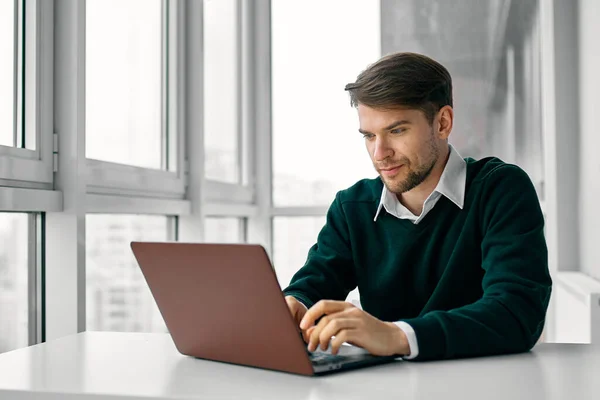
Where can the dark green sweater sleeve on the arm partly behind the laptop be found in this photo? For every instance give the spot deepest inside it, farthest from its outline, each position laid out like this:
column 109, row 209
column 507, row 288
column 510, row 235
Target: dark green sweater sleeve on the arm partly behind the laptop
column 329, row 270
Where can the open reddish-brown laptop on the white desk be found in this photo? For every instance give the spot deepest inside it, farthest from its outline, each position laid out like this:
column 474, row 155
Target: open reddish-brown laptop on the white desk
column 222, row 302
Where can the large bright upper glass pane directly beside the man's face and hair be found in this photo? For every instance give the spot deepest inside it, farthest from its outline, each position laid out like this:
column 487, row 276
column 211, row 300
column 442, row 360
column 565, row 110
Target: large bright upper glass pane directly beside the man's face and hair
column 317, row 149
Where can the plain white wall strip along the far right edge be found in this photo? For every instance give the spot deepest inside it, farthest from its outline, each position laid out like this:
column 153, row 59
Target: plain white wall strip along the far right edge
column 589, row 163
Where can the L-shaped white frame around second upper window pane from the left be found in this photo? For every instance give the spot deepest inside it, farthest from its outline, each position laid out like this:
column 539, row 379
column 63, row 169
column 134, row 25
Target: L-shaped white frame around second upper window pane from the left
column 119, row 179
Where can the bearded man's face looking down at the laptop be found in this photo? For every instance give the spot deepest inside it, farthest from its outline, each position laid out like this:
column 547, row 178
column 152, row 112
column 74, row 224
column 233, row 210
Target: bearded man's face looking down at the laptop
column 402, row 145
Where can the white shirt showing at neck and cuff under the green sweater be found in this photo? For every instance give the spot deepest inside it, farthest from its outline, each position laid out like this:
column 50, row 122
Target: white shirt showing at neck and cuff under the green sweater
column 452, row 184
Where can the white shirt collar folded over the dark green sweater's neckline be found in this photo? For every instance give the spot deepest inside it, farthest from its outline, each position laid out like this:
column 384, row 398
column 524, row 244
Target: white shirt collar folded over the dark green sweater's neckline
column 452, row 185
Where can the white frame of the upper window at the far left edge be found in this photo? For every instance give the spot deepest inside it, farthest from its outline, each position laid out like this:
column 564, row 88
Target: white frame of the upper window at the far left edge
column 21, row 167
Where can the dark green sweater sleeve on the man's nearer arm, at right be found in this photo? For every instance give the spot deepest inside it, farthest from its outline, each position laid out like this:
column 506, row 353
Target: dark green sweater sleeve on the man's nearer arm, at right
column 510, row 316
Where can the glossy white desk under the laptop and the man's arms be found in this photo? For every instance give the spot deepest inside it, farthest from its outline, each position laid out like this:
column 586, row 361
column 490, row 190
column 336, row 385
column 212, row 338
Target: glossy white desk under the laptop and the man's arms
column 147, row 366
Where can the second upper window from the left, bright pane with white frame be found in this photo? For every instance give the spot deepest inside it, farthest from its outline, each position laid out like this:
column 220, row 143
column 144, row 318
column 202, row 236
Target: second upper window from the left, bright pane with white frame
column 134, row 93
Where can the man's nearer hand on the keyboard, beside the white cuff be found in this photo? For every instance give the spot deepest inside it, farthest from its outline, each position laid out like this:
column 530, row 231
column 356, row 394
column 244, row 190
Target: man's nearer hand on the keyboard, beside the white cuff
column 350, row 324
